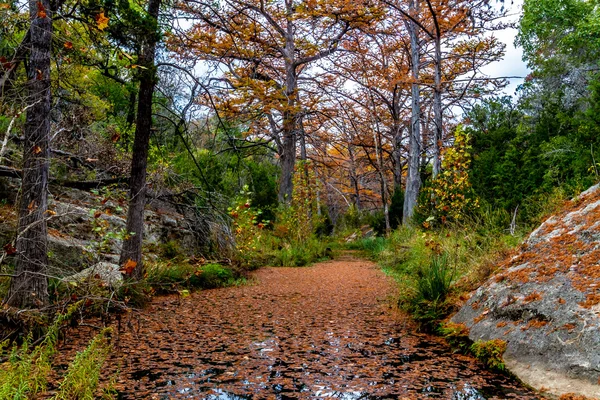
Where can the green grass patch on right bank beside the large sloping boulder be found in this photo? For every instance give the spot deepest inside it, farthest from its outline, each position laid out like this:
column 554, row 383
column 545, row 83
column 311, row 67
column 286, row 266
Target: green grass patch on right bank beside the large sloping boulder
column 433, row 267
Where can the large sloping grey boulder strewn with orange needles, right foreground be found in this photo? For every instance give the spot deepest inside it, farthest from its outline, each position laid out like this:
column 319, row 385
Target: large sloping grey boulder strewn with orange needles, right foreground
column 545, row 303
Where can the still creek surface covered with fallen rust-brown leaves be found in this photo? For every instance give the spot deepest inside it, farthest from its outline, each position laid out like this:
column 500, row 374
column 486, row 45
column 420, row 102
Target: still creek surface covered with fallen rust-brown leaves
column 326, row 331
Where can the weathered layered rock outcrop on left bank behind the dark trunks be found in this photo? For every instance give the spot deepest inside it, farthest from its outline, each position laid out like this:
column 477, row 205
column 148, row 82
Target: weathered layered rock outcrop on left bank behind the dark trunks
column 86, row 228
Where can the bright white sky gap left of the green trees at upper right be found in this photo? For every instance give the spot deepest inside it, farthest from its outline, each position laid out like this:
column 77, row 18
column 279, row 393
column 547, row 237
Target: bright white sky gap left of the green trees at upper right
column 512, row 64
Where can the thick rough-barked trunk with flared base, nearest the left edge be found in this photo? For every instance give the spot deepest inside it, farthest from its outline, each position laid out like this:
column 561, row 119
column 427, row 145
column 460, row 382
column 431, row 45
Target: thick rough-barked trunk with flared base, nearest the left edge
column 29, row 286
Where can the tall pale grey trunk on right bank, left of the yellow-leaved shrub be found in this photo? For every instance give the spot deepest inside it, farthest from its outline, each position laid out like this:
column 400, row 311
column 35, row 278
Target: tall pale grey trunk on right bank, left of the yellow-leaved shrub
column 413, row 180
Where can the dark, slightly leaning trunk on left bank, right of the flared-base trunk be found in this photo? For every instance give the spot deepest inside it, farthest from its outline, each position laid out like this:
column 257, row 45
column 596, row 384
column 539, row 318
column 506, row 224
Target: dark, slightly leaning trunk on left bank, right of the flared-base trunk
column 132, row 245
